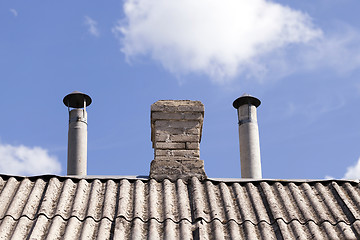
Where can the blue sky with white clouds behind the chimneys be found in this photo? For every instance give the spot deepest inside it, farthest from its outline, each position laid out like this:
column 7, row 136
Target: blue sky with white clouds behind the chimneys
column 300, row 58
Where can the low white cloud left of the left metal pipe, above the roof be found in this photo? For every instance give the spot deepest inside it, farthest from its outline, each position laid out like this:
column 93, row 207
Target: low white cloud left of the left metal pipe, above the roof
column 22, row 160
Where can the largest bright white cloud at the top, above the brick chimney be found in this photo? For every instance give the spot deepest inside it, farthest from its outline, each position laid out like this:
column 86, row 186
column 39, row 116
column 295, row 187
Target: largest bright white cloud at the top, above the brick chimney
column 218, row 38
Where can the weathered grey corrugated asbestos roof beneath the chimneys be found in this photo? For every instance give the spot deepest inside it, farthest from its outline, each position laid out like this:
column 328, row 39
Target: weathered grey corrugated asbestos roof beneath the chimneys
column 53, row 207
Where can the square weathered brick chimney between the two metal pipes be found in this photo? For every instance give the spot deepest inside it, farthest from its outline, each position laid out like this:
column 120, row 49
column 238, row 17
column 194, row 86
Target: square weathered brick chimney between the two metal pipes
column 176, row 127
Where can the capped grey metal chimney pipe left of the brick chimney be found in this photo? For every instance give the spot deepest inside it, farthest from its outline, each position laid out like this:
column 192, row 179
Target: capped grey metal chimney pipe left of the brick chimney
column 77, row 136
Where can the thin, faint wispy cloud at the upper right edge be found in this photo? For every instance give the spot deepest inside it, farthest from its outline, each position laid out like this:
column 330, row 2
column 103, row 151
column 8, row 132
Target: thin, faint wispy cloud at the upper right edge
column 338, row 50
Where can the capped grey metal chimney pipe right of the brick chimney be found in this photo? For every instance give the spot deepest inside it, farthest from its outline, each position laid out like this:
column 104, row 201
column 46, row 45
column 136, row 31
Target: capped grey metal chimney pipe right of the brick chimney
column 249, row 136
